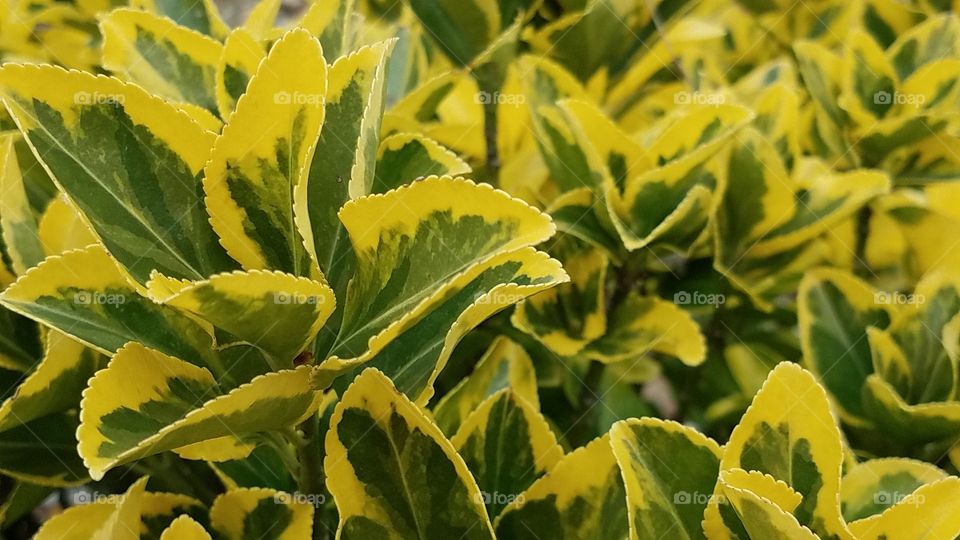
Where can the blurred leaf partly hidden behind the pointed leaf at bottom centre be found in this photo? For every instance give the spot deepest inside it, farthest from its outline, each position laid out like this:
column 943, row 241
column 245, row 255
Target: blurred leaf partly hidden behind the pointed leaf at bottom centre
column 504, row 365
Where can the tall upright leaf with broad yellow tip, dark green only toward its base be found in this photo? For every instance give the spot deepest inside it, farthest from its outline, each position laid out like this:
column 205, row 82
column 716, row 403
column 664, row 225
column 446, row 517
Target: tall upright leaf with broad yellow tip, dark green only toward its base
column 257, row 161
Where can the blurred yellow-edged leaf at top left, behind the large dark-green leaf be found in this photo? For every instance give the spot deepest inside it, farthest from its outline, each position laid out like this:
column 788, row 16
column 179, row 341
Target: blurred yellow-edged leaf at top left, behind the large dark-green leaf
column 167, row 59
